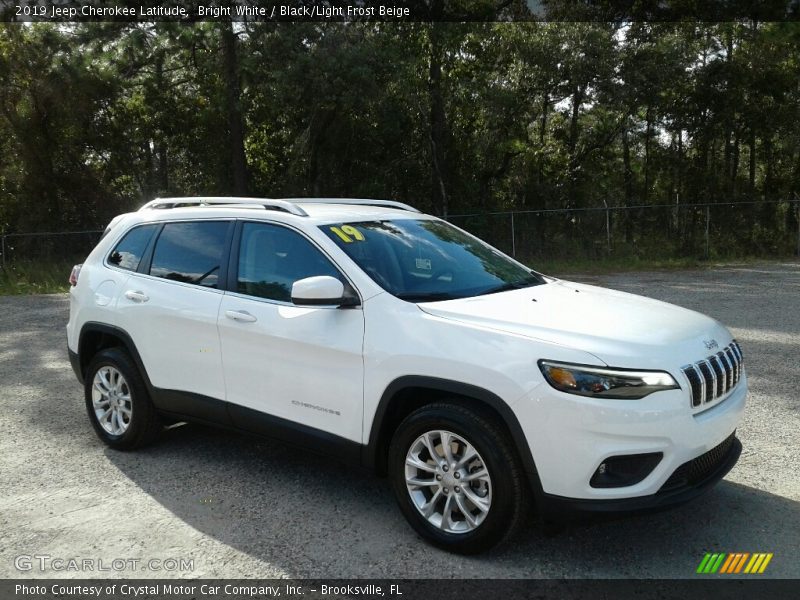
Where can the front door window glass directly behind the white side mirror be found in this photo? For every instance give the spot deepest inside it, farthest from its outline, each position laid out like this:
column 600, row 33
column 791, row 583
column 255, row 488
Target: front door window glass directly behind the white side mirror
column 272, row 258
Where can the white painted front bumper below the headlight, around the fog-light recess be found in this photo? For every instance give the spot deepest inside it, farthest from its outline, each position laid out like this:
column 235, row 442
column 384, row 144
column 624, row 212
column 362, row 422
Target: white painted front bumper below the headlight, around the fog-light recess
column 570, row 436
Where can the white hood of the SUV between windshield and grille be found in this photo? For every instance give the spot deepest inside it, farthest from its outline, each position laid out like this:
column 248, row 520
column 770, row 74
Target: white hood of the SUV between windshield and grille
column 621, row 329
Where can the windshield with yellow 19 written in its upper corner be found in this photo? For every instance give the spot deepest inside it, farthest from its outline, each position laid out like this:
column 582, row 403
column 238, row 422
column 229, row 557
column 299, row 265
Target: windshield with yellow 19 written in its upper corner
column 423, row 260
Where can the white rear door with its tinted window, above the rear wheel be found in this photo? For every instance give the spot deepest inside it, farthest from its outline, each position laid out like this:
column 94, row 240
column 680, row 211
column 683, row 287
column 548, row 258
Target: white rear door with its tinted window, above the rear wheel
column 169, row 307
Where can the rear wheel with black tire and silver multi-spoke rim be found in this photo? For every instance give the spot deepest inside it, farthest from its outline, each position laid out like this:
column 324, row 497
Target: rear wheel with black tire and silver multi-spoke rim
column 117, row 401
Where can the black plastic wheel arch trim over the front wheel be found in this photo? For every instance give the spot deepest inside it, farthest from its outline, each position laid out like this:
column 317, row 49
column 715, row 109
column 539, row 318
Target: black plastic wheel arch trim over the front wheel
column 406, row 394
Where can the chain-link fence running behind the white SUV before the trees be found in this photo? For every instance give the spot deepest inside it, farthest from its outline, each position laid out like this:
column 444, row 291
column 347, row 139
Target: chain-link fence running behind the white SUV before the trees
column 651, row 232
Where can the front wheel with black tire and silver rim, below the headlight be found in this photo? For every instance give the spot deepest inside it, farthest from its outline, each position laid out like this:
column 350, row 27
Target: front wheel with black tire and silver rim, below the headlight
column 457, row 477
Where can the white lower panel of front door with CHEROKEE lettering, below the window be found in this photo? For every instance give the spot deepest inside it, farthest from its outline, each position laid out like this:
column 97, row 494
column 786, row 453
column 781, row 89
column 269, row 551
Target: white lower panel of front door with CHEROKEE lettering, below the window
column 268, row 362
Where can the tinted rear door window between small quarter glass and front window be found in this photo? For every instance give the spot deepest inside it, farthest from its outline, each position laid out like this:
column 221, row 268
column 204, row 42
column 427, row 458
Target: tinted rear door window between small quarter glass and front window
column 190, row 252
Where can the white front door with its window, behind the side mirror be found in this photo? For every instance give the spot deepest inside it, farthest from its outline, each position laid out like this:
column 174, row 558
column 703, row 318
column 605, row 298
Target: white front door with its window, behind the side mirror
column 299, row 364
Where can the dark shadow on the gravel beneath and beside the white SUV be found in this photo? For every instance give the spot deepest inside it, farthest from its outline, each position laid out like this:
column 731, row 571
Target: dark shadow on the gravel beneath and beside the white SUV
column 314, row 517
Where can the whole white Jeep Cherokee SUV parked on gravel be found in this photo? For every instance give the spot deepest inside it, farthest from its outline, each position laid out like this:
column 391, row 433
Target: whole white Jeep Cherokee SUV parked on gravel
column 366, row 330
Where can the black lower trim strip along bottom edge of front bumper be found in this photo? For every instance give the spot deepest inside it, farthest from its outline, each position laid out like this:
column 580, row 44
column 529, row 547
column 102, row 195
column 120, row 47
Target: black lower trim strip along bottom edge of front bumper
column 559, row 507
